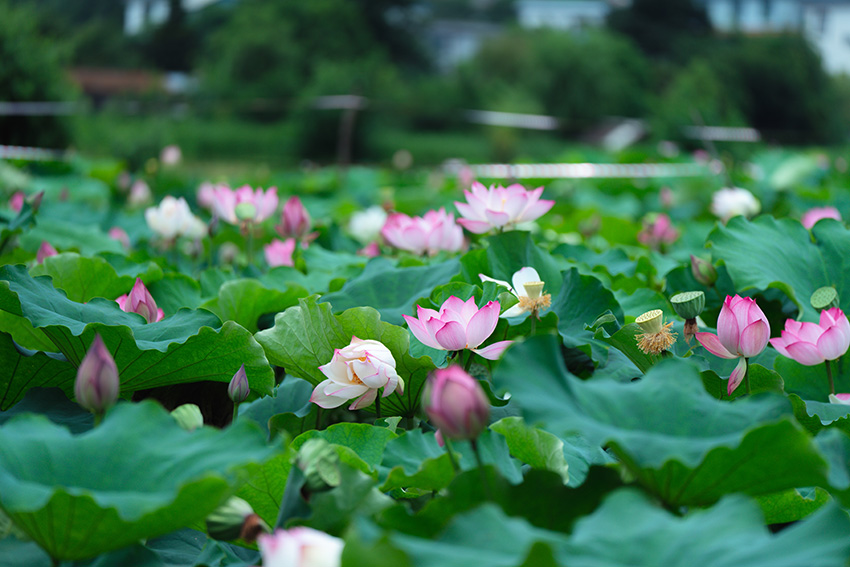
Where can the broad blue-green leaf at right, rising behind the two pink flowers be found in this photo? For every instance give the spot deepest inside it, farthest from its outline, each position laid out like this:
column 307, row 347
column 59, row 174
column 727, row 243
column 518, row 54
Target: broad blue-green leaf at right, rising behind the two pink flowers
column 780, row 253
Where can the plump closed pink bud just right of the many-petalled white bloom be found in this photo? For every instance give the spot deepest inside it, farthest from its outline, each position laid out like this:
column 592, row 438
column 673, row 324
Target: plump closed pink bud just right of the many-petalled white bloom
column 455, row 403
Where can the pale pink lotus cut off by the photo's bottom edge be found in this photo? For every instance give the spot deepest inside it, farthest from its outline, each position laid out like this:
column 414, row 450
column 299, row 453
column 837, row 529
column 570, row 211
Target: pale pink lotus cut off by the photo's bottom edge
column 300, row 547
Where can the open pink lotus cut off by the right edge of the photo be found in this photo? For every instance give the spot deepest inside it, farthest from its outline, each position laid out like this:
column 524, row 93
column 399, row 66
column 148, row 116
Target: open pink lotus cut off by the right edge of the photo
column 811, row 344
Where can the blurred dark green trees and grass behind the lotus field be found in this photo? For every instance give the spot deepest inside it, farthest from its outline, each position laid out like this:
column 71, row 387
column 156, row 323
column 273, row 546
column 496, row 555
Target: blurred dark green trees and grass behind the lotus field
column 256, row 69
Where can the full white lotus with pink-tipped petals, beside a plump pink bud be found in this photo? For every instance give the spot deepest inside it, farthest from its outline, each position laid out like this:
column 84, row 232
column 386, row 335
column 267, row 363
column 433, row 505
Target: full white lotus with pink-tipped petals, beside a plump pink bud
column 357, row 371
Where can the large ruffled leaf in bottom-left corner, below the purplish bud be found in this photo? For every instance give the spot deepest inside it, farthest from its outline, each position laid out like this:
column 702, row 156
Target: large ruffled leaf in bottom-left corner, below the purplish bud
column 136, row 476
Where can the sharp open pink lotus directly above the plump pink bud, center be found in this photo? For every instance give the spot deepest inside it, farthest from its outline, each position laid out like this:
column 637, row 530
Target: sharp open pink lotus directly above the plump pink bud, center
column 459, row 325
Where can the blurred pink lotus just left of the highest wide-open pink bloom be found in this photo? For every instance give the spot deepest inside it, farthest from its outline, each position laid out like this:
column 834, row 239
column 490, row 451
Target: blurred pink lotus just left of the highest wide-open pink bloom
column 434, row 232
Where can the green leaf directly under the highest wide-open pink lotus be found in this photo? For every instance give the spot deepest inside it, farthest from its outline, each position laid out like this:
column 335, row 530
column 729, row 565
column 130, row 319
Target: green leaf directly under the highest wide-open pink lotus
column 508, row 252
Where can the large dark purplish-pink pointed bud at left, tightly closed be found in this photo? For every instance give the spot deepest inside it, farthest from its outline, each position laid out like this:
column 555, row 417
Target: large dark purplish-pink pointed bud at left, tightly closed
column 97, row 384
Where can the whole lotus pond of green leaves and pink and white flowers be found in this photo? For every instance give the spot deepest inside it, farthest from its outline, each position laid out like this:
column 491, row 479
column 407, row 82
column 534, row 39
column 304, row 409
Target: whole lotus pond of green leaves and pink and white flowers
column 411, row 368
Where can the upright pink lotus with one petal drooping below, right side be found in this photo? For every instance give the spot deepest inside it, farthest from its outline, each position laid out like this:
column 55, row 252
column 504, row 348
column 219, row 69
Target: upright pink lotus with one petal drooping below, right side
column 742, row 332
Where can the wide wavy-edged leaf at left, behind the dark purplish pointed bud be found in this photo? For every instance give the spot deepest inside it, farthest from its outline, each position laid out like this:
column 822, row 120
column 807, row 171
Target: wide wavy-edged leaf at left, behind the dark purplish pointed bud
column 190, row 346
